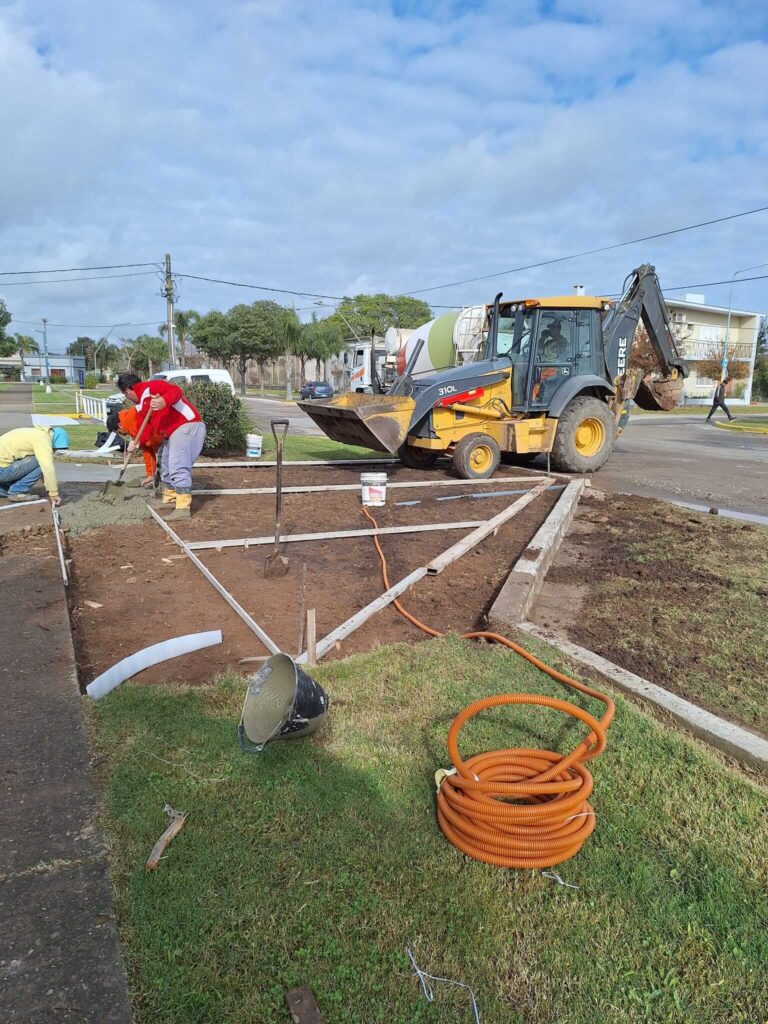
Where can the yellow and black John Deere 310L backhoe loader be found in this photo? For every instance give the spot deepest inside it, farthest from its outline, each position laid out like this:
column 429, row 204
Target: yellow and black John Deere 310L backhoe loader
column 554, row 377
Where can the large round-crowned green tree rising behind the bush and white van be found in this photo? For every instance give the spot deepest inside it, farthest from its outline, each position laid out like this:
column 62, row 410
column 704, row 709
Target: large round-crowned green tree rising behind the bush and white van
column 246, row 332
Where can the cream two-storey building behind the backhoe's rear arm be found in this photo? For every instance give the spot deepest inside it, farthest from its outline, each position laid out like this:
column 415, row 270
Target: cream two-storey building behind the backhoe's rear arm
column 701, row 331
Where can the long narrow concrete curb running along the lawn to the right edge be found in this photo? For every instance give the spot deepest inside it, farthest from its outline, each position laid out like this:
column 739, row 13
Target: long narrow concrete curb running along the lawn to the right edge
column 733, row 740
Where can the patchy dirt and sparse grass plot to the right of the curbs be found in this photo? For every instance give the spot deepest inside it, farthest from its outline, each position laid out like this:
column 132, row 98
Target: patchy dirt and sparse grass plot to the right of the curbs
column 678, row 598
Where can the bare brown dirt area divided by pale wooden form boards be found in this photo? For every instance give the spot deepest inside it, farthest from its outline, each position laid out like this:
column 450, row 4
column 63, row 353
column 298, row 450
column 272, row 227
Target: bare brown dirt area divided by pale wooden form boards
column 148, row 591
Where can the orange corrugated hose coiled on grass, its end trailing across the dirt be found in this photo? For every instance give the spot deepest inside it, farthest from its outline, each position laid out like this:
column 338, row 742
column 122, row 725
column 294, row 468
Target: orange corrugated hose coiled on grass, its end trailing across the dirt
column 549, row 819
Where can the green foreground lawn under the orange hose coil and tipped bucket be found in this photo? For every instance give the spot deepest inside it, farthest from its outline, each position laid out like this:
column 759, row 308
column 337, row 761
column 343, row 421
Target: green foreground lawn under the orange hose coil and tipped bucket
column 320, row 861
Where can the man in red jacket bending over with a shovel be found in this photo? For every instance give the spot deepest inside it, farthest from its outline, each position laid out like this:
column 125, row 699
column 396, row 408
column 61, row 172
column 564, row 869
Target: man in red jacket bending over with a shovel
column 184, row 434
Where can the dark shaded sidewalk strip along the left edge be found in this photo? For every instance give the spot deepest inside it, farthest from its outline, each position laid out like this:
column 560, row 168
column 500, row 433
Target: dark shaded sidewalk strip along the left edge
column 60, row 957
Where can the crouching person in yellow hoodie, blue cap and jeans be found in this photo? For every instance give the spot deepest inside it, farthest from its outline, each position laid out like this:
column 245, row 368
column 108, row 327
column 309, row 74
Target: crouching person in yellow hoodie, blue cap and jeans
column 26, row 455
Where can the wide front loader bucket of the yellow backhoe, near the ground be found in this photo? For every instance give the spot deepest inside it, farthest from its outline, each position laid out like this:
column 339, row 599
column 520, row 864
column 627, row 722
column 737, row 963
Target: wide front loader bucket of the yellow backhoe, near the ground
column 374, row 421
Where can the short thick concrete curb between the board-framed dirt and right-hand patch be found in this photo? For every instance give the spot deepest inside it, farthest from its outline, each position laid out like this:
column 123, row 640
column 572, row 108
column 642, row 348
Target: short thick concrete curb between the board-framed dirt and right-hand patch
column 527, row 579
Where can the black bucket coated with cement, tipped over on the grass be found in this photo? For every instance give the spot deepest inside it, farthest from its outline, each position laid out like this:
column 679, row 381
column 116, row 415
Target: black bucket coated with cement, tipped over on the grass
column 282, row 703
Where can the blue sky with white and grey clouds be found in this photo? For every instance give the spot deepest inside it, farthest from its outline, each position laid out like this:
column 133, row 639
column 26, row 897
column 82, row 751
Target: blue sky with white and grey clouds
column 338, row 147
